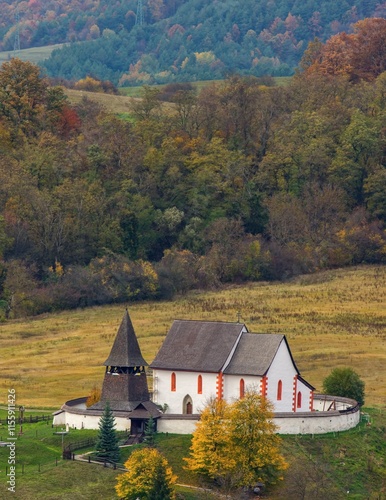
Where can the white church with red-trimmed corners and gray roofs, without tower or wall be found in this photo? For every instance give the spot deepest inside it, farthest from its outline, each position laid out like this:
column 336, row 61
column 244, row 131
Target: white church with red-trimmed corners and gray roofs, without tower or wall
column 200, row 360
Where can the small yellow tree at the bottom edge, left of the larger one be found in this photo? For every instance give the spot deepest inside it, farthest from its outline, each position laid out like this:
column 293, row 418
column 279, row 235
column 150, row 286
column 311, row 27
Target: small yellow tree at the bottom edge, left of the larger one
column 148, row 476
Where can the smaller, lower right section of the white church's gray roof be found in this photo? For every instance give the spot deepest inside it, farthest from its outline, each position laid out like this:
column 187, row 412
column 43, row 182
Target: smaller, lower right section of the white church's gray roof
column 254, row 354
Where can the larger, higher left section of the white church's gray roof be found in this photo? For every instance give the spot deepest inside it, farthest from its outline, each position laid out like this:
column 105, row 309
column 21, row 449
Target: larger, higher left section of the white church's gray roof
column 197, row 345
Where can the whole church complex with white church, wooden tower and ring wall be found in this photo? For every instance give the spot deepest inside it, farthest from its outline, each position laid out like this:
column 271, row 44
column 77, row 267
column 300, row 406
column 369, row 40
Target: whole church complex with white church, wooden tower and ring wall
column 201, row 360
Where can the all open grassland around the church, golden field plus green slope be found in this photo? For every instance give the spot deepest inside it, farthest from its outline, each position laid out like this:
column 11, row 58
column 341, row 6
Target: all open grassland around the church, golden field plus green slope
column 334, row 318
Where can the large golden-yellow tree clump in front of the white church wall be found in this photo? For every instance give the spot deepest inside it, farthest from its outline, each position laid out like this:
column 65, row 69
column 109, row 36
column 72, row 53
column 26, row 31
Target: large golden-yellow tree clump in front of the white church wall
column 236, row 444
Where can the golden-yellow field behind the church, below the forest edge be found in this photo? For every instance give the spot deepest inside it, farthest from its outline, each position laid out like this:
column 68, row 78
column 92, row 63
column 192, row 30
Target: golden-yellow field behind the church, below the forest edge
column 333, row 318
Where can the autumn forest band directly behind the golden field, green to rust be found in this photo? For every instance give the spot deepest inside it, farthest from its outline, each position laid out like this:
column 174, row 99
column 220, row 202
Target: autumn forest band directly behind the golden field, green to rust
column 238, row 182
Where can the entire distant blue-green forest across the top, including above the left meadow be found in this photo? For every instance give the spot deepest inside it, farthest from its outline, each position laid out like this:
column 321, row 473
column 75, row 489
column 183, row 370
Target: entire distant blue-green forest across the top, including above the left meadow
column 178, row 40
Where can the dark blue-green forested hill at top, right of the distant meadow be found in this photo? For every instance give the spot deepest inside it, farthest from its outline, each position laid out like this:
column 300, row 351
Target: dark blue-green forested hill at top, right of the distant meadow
column 207, row 41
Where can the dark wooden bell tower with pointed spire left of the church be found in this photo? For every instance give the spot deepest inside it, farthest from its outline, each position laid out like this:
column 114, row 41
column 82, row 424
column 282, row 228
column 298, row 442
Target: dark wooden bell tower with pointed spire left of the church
column 125, row 383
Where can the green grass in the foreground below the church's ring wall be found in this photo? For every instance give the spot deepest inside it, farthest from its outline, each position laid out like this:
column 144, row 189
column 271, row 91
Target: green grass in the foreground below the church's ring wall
column 353, row 460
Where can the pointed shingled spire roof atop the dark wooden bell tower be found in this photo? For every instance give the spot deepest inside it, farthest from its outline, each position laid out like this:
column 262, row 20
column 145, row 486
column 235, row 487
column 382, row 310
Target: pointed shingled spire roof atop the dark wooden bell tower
column 125, row 351
